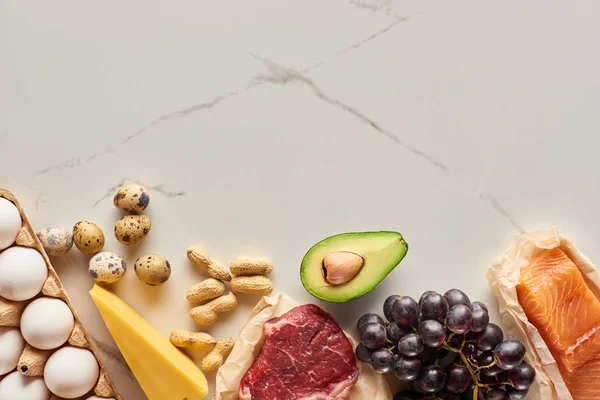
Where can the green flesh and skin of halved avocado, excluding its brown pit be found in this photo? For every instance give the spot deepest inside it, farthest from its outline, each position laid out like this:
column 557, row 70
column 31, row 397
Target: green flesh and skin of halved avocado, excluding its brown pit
column 381, row 253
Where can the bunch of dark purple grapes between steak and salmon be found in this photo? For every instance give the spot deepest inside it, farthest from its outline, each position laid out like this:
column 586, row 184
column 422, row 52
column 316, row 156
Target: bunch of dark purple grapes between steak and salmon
column 445, row 348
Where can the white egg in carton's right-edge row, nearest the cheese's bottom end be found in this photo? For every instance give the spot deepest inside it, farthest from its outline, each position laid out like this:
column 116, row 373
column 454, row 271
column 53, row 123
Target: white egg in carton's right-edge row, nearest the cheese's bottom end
column 71, row 372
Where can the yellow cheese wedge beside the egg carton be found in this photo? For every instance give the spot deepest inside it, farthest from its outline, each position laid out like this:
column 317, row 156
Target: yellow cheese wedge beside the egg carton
column 164, row 372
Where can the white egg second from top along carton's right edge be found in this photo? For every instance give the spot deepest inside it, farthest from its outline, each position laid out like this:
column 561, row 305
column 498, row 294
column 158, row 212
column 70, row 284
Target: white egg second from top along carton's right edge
column 23, row 272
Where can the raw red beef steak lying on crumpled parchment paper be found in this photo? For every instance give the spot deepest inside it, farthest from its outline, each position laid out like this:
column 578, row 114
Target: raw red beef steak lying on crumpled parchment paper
column 306, row 355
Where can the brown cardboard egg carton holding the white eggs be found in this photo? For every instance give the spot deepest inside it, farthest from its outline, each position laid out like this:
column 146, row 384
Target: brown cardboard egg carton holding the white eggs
column 32, row 360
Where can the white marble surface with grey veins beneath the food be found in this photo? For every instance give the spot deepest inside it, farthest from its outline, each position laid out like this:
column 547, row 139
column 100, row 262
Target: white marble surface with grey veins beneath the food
column 261, row 127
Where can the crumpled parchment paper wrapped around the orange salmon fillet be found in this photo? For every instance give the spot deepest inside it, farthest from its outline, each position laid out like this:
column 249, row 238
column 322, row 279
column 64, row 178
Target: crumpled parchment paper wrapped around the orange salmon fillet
column 503, row 278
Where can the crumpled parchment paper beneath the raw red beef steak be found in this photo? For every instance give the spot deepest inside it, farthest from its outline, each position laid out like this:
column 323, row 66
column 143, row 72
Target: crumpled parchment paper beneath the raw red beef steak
column 370, row 384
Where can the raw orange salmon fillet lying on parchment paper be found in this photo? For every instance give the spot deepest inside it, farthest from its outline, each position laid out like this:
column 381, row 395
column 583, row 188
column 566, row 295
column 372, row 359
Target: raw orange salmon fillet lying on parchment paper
column 557, row 301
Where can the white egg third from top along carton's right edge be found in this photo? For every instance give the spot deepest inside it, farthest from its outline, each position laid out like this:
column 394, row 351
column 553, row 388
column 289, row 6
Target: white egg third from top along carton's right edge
column 47, row 323
